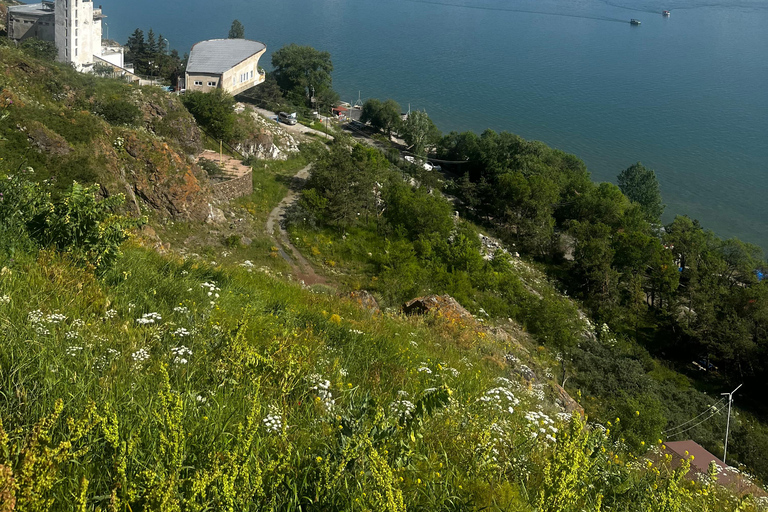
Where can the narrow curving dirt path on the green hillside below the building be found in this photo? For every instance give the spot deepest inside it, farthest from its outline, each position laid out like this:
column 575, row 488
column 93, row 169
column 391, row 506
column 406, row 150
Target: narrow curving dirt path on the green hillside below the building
column 301, row 268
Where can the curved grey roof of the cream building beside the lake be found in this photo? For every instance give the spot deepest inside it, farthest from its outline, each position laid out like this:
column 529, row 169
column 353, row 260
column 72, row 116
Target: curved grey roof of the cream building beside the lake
column 216, row 56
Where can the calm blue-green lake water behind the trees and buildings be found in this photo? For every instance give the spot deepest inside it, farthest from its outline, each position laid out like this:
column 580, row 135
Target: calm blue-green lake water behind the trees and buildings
column 686, row 95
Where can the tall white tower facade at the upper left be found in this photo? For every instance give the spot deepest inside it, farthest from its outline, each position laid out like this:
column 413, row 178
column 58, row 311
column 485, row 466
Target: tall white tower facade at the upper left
column 78, row 32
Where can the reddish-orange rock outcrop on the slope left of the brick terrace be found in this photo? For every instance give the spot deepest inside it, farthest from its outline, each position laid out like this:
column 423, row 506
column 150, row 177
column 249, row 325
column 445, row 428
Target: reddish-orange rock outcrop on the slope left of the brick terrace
column 166, row 181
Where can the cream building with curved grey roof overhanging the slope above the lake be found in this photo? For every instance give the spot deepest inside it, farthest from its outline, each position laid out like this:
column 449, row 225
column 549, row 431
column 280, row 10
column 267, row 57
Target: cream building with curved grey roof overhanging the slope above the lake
column 228, row 64
